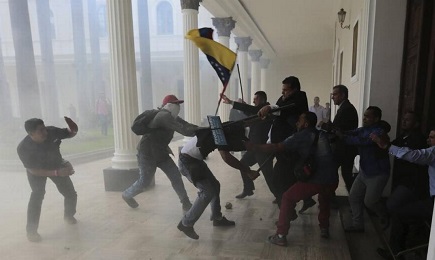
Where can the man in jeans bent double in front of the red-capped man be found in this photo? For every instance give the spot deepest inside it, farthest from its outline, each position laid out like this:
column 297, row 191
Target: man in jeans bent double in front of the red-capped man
column 192, row 166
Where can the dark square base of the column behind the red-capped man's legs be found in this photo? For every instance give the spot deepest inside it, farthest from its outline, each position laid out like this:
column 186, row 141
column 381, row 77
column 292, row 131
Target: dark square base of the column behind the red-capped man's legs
column 119, row 180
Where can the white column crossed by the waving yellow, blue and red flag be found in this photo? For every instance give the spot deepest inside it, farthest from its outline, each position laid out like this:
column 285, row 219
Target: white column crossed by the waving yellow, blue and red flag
column 224, row 27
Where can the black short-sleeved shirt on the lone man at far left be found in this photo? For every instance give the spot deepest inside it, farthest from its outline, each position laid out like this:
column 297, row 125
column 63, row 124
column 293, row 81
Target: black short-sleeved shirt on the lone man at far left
column 44, row 155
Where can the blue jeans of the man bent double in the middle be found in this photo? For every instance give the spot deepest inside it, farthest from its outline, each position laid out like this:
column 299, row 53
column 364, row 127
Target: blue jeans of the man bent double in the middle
column 208, row 186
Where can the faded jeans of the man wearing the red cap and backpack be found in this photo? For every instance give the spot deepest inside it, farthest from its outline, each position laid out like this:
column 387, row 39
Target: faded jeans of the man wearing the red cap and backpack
column 147, row 170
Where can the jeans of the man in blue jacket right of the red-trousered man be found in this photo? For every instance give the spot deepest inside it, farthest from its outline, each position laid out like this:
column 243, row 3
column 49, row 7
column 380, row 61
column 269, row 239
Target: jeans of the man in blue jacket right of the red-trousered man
column 368, row 191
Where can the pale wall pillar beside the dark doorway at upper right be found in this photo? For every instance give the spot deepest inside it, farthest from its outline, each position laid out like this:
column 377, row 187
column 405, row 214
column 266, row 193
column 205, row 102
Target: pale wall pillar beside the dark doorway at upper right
column 387, row 58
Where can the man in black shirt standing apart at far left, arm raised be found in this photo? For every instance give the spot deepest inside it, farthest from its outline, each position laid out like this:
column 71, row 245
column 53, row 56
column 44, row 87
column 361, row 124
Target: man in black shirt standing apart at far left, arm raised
column 40, row 154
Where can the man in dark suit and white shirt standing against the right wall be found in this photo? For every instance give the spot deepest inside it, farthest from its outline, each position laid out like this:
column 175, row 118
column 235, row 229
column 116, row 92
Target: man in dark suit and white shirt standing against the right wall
column 346, row 119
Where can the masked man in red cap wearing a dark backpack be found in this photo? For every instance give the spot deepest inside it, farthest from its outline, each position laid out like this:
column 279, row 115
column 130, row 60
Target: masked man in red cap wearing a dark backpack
column 158, row 127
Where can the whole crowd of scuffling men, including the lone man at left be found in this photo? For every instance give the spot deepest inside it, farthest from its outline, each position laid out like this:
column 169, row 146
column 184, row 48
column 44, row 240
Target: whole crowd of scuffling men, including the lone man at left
column 299, row 149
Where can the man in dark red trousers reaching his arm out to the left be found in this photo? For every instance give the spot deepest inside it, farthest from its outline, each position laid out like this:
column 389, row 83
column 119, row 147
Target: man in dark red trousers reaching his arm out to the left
column 312, row 146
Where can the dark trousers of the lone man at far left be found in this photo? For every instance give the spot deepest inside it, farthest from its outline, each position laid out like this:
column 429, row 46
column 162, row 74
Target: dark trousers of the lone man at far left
column 37, row 184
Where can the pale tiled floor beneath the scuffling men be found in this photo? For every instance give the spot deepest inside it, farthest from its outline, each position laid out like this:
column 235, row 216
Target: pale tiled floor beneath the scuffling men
column 109, row 229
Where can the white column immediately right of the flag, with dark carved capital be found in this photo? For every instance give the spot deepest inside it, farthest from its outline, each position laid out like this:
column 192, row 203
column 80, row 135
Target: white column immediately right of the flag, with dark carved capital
column 243, row 44
